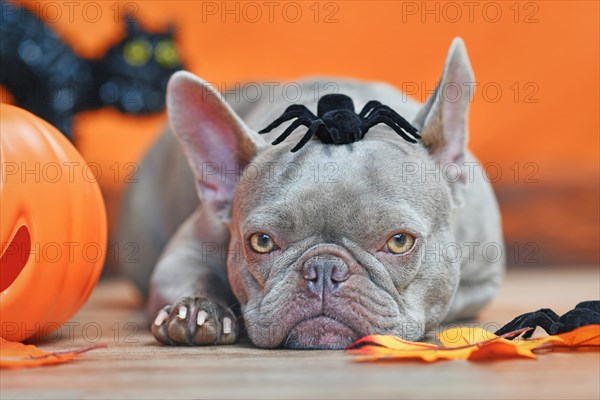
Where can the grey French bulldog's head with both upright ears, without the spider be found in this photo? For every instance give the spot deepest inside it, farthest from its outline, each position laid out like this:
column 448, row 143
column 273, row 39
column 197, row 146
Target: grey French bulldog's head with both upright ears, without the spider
column 333, row 242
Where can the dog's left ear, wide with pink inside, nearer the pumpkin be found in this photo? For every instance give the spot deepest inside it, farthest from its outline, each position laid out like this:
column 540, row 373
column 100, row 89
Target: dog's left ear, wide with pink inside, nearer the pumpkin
column 217, row 143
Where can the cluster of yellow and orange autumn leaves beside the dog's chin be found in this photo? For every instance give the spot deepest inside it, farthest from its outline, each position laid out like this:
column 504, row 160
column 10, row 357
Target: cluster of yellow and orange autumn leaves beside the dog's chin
column 473, row 344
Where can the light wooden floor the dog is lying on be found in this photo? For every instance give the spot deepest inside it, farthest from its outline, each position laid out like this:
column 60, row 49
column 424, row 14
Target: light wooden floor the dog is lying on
column 135, row 366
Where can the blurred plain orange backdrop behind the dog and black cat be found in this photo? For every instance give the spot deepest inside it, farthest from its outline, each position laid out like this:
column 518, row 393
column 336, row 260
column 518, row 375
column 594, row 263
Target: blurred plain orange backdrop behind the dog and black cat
column 549, row 50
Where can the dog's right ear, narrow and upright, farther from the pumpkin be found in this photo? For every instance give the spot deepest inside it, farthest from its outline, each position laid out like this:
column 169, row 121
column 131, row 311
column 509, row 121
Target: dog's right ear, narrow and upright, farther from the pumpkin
column 443, row 119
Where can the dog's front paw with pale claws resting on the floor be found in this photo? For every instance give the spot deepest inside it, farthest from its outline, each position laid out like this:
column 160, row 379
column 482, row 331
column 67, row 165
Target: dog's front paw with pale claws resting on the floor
column 195, row 321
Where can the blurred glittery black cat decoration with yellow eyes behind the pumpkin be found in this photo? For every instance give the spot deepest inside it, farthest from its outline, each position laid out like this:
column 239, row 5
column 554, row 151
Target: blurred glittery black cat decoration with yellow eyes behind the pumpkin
column 47, row 77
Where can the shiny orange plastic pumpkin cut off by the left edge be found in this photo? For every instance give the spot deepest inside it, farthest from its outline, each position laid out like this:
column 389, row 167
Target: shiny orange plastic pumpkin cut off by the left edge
column 52, row 227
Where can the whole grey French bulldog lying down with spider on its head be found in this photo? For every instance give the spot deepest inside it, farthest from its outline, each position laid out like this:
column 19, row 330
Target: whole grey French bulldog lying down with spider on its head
column 319, row 247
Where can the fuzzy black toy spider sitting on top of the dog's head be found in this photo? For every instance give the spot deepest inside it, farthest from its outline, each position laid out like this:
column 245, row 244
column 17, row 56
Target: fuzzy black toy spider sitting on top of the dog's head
column 336, row 121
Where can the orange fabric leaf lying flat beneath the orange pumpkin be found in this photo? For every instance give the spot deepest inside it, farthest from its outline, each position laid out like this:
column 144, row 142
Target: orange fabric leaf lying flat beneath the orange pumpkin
column 19, row 355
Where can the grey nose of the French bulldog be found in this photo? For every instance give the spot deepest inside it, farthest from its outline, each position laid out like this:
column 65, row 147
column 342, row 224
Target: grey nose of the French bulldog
column 325, row 274
